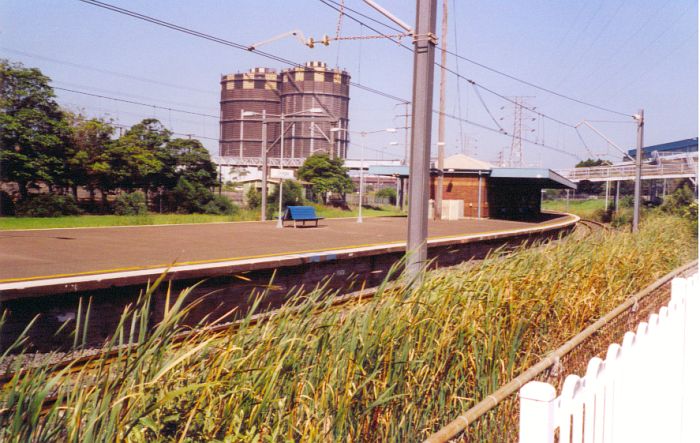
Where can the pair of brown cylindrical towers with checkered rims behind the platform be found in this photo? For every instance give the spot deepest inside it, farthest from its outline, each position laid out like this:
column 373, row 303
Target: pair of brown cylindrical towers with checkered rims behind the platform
column 314, row 92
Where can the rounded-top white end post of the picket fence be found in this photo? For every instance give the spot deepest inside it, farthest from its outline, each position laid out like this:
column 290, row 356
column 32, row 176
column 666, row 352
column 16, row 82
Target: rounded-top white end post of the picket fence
column 537, row 412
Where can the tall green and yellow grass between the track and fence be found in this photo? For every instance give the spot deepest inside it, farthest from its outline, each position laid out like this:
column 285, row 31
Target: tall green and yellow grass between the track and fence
column 393, row 368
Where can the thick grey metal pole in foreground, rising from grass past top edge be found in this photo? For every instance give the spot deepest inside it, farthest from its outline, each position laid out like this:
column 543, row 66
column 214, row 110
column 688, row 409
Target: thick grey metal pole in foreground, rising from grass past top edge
column 419, row 189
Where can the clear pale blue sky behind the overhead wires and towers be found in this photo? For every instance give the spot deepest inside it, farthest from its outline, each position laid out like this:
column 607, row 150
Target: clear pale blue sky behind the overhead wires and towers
column 621, row 55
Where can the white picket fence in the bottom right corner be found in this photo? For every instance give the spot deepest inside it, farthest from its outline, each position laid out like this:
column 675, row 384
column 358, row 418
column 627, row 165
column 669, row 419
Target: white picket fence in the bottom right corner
column 646, row 390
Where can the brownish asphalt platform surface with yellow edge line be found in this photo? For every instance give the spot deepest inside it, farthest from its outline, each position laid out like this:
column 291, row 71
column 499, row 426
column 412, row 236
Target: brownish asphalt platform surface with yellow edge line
column 27, row 255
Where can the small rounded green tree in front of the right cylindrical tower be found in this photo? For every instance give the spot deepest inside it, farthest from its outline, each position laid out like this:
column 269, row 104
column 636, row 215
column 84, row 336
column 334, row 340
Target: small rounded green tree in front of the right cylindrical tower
column 325, row 175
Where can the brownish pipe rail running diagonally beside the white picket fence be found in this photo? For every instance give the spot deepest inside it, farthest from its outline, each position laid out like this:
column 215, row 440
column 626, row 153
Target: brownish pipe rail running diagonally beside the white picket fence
column 460, row 423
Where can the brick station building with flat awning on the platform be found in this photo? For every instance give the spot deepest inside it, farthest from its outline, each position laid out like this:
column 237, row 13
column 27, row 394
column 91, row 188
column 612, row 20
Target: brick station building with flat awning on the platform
column 483, row 191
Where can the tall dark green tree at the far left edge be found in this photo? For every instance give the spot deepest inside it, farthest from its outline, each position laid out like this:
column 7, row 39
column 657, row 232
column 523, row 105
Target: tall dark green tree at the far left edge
column 33, row 133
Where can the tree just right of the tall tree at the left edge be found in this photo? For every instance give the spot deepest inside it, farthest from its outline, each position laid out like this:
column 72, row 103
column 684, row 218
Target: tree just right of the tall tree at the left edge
column 88, row 155
